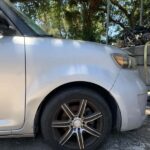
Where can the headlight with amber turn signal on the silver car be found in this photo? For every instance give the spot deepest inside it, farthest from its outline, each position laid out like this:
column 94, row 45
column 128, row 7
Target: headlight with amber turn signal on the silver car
column 124, row 61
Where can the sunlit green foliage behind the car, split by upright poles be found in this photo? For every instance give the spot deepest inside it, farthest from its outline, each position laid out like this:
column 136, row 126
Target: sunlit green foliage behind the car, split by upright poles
column 84, row 19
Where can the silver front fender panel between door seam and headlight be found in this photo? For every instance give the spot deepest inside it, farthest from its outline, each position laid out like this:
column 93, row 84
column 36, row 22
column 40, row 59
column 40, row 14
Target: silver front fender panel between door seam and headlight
column 51, row 63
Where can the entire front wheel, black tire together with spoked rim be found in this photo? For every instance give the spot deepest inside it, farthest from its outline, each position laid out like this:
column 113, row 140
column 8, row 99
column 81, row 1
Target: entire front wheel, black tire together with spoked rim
column 87, row 120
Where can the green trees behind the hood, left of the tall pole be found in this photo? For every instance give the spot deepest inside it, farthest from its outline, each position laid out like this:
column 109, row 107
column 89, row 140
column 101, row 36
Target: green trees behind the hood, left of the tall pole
column 76, row 19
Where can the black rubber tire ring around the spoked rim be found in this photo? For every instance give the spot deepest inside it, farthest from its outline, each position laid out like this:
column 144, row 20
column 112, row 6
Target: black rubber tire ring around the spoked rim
column 65, row 96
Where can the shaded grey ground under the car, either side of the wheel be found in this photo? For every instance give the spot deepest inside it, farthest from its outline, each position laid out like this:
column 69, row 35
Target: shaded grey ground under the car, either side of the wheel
column 132, row 140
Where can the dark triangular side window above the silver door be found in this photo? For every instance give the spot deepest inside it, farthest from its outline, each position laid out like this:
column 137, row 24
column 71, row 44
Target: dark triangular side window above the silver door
column 6, row 27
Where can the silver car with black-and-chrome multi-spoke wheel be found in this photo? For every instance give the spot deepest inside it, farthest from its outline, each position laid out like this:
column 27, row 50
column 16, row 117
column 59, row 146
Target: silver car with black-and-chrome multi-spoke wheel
column 73, row 92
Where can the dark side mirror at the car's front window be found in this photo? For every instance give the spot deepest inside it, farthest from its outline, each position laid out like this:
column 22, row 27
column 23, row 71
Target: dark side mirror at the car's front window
column 5, row 29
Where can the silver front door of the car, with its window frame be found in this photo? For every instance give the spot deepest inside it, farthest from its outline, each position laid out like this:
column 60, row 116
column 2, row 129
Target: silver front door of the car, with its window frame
column 12, row 79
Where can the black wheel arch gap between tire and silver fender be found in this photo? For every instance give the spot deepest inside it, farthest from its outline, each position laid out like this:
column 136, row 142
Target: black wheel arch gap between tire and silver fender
column 115, row 110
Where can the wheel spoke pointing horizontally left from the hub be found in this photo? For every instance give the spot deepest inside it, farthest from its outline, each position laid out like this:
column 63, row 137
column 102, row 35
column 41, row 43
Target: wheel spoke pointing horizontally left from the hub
column 61, row 124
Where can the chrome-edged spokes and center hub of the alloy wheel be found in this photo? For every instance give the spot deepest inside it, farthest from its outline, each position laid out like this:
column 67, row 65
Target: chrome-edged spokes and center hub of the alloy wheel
column 78, row 123
